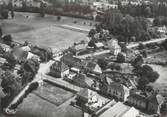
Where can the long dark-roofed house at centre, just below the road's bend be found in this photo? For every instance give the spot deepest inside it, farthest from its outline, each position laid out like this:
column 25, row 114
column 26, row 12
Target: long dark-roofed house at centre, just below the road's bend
column 72, row 61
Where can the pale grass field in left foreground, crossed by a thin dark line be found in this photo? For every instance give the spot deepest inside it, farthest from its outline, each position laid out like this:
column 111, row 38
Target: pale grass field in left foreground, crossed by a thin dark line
column 48, row 101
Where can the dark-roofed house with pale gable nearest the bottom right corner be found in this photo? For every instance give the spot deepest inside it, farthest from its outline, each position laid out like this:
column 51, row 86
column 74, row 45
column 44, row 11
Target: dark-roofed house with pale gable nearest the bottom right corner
column 154, row 103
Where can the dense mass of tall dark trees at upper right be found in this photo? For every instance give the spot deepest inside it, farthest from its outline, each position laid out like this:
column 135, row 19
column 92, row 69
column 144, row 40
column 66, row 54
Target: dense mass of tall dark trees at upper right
column 125, row 28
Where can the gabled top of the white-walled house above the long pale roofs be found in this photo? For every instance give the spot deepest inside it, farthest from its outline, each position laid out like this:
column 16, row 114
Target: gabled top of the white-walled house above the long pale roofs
column 86, row 93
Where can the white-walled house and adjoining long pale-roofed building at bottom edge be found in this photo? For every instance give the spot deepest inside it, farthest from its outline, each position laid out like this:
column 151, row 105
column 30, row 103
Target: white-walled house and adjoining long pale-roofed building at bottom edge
column 90, row 103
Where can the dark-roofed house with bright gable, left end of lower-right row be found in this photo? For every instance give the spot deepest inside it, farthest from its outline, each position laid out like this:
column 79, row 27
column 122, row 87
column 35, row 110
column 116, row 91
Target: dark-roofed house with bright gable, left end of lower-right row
column 118, row 91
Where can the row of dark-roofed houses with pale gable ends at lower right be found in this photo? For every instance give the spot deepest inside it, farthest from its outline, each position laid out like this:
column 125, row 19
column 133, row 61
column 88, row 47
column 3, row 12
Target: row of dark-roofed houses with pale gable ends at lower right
column 150, row 102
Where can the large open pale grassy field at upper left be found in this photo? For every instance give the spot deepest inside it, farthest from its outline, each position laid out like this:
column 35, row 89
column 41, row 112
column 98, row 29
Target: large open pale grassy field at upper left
column 43, row 31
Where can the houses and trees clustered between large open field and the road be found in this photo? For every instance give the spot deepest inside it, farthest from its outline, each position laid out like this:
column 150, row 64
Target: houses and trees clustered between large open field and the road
column 97, row 43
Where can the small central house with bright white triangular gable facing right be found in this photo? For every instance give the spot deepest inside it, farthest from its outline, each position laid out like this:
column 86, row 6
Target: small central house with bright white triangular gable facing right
column 93, row 68
